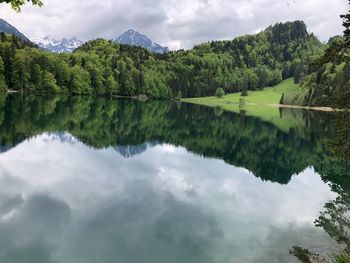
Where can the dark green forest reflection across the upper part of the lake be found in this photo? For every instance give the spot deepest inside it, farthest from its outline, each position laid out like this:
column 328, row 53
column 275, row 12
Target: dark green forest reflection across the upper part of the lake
column 317, row 139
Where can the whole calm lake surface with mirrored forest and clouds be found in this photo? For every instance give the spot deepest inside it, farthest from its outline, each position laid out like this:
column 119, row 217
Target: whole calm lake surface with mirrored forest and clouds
column 94, row 180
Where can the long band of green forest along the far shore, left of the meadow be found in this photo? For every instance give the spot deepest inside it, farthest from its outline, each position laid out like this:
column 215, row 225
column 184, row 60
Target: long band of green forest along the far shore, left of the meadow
column 101, row 67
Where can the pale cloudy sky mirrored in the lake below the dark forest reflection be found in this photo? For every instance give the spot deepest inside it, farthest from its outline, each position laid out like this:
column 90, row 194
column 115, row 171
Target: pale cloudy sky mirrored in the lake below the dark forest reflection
column 161, row 205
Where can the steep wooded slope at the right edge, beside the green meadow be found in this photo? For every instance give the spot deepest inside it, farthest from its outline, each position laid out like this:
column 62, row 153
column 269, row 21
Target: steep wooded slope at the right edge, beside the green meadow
column 329, row 82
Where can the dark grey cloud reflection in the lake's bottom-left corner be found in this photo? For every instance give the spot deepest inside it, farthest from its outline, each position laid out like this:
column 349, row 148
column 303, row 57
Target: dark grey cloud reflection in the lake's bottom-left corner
column 31, row 233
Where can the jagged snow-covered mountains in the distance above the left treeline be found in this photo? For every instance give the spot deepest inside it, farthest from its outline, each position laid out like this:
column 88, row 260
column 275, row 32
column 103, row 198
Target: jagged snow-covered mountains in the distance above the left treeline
column 58, row 46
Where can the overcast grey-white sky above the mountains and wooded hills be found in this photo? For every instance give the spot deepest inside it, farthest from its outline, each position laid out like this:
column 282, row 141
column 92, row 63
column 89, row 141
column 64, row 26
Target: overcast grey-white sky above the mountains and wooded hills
column 175, row 23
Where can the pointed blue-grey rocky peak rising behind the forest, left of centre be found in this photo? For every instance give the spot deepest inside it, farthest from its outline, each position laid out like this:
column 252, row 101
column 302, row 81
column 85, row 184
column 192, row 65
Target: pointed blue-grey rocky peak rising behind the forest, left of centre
column 132, row 37
